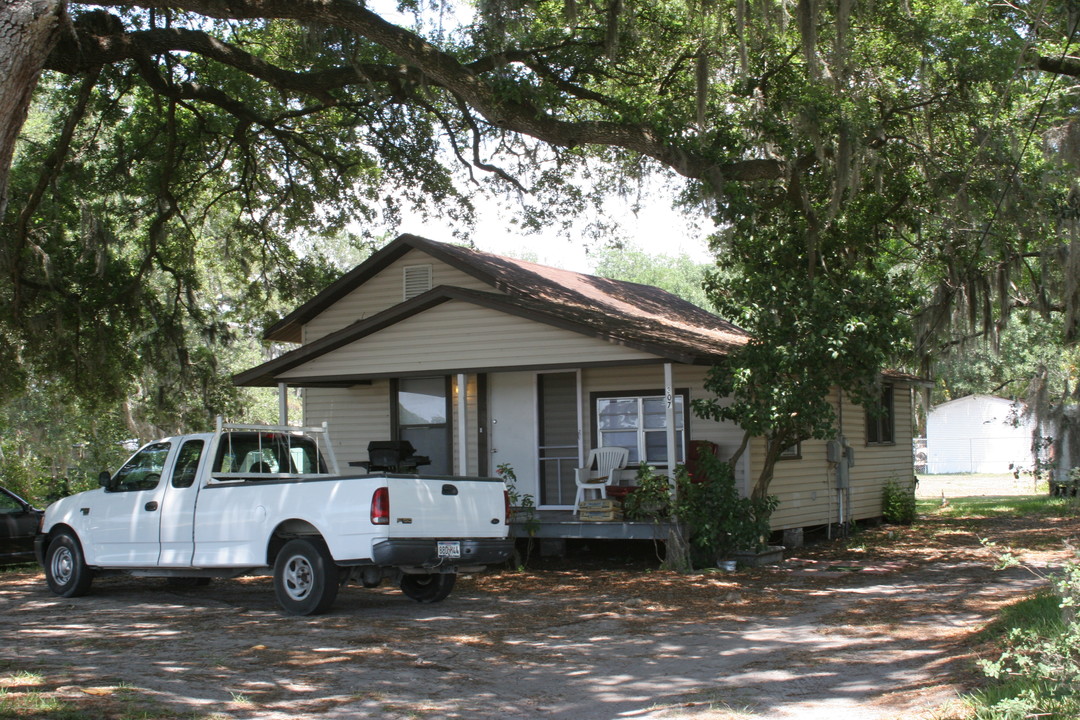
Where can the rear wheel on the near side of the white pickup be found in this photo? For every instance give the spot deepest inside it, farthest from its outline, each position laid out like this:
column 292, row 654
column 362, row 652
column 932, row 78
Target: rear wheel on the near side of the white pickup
column 305, row 578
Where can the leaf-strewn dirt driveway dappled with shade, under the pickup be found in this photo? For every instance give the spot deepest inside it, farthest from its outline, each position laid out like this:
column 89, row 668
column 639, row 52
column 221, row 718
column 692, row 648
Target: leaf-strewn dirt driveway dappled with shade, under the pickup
column 882, row 626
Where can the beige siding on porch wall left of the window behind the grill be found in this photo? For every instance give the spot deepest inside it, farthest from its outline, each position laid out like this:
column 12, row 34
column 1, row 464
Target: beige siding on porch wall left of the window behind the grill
column 356, row 415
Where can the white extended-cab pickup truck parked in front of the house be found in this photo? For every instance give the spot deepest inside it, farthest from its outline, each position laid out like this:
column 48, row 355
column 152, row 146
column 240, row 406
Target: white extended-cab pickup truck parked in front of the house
column 262, row 500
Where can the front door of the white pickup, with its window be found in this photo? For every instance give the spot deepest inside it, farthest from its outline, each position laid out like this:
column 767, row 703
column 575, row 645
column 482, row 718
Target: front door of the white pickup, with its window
column 125, row 522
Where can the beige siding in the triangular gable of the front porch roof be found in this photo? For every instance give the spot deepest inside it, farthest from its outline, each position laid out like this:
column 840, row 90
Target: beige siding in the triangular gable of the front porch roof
column 461, row 335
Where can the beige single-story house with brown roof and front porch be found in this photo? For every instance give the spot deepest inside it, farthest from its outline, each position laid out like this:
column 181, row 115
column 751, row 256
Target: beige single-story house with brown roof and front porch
column 482, row 361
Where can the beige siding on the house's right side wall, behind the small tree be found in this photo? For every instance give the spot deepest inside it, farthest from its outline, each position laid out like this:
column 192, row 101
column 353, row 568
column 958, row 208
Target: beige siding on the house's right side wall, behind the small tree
column 807, row 487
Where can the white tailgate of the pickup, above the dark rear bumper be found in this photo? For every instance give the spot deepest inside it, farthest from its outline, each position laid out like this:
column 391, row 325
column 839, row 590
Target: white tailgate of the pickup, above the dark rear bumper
column 448, row 507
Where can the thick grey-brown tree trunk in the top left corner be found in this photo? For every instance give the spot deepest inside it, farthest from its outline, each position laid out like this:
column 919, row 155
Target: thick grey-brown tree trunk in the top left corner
column 29, row 31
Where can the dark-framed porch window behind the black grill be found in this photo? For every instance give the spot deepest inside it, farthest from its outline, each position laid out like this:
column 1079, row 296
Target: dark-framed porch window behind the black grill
column 423, row 412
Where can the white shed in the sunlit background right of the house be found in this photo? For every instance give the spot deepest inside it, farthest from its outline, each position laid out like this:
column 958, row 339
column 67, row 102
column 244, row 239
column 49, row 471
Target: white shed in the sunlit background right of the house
column 979, row 434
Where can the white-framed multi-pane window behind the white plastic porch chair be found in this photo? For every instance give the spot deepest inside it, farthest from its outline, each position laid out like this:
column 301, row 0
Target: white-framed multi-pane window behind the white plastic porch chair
column 640, row 425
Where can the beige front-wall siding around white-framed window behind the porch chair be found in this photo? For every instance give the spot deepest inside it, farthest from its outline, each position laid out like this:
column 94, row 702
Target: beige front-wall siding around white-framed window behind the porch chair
column 632, row 379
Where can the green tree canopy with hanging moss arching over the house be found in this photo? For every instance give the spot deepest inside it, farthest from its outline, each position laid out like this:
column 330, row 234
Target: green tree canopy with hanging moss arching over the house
column 883, row 172
